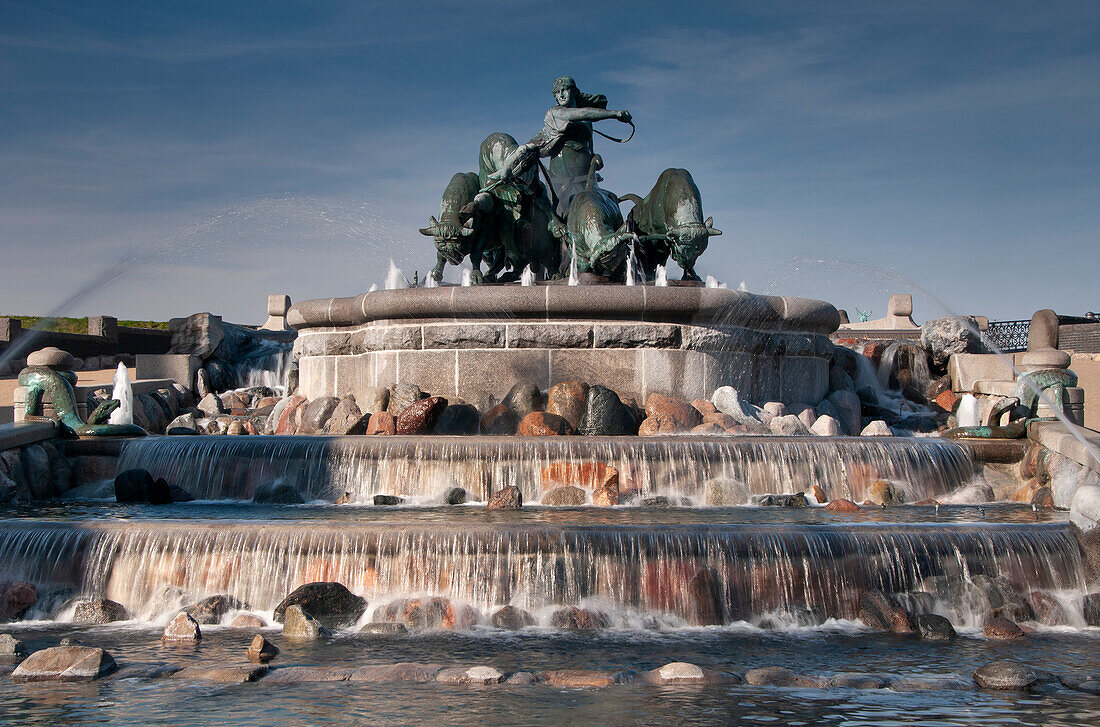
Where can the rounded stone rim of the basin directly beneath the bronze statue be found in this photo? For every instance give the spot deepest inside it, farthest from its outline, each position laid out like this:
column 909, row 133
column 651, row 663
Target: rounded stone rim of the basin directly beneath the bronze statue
column 545, row 303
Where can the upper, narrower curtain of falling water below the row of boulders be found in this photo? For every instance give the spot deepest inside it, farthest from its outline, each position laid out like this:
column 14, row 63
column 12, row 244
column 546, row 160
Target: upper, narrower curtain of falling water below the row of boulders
column 709, row 471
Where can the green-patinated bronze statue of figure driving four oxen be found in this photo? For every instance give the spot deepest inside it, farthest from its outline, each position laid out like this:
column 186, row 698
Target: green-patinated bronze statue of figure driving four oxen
column 518, row 212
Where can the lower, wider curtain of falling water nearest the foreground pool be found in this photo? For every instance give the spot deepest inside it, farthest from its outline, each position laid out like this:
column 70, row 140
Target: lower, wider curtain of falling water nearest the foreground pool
column 760, row 569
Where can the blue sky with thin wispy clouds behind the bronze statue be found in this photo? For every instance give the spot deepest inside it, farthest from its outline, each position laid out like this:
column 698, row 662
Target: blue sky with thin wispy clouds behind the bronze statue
column 849, row 150
